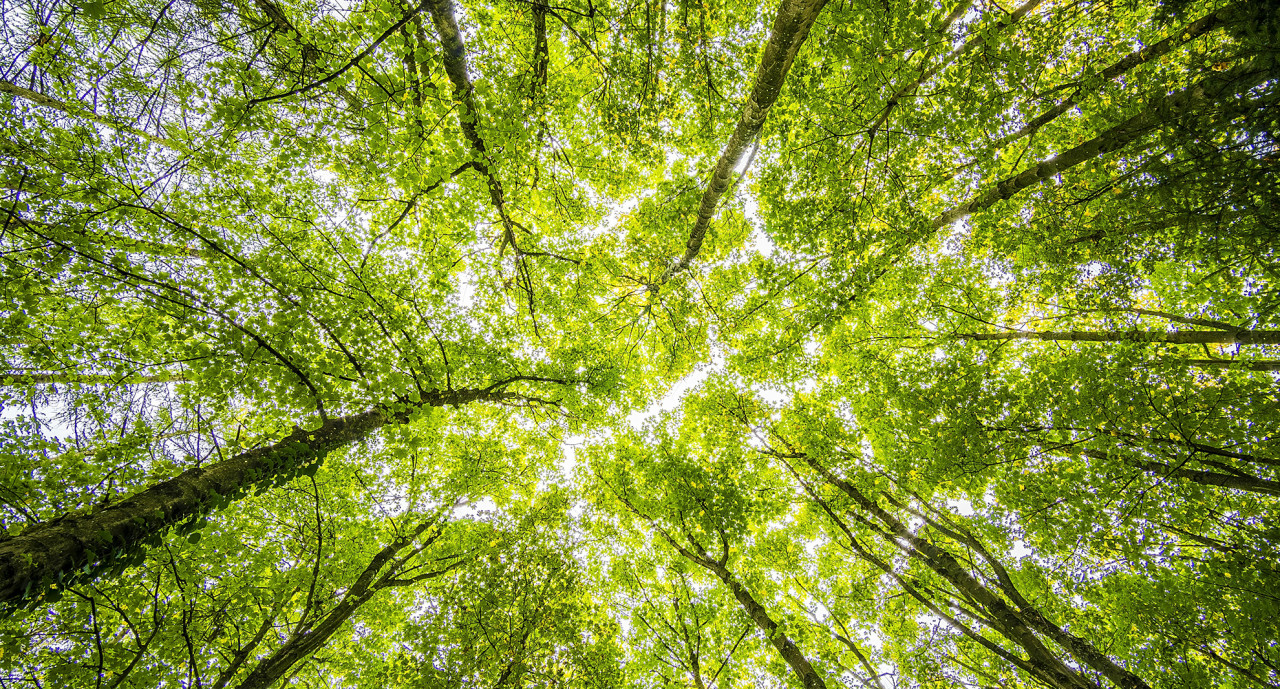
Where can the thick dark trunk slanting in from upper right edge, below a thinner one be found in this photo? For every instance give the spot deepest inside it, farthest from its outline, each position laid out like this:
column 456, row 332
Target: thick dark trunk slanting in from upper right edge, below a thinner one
column 1159, row 112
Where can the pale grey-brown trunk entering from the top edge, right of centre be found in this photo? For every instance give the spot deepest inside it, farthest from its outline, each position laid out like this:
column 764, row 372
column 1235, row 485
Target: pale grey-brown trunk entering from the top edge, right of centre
column 790, row 30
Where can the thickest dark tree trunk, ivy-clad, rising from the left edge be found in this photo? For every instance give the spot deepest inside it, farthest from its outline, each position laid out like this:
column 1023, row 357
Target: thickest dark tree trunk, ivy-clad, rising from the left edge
column 80, row 545
